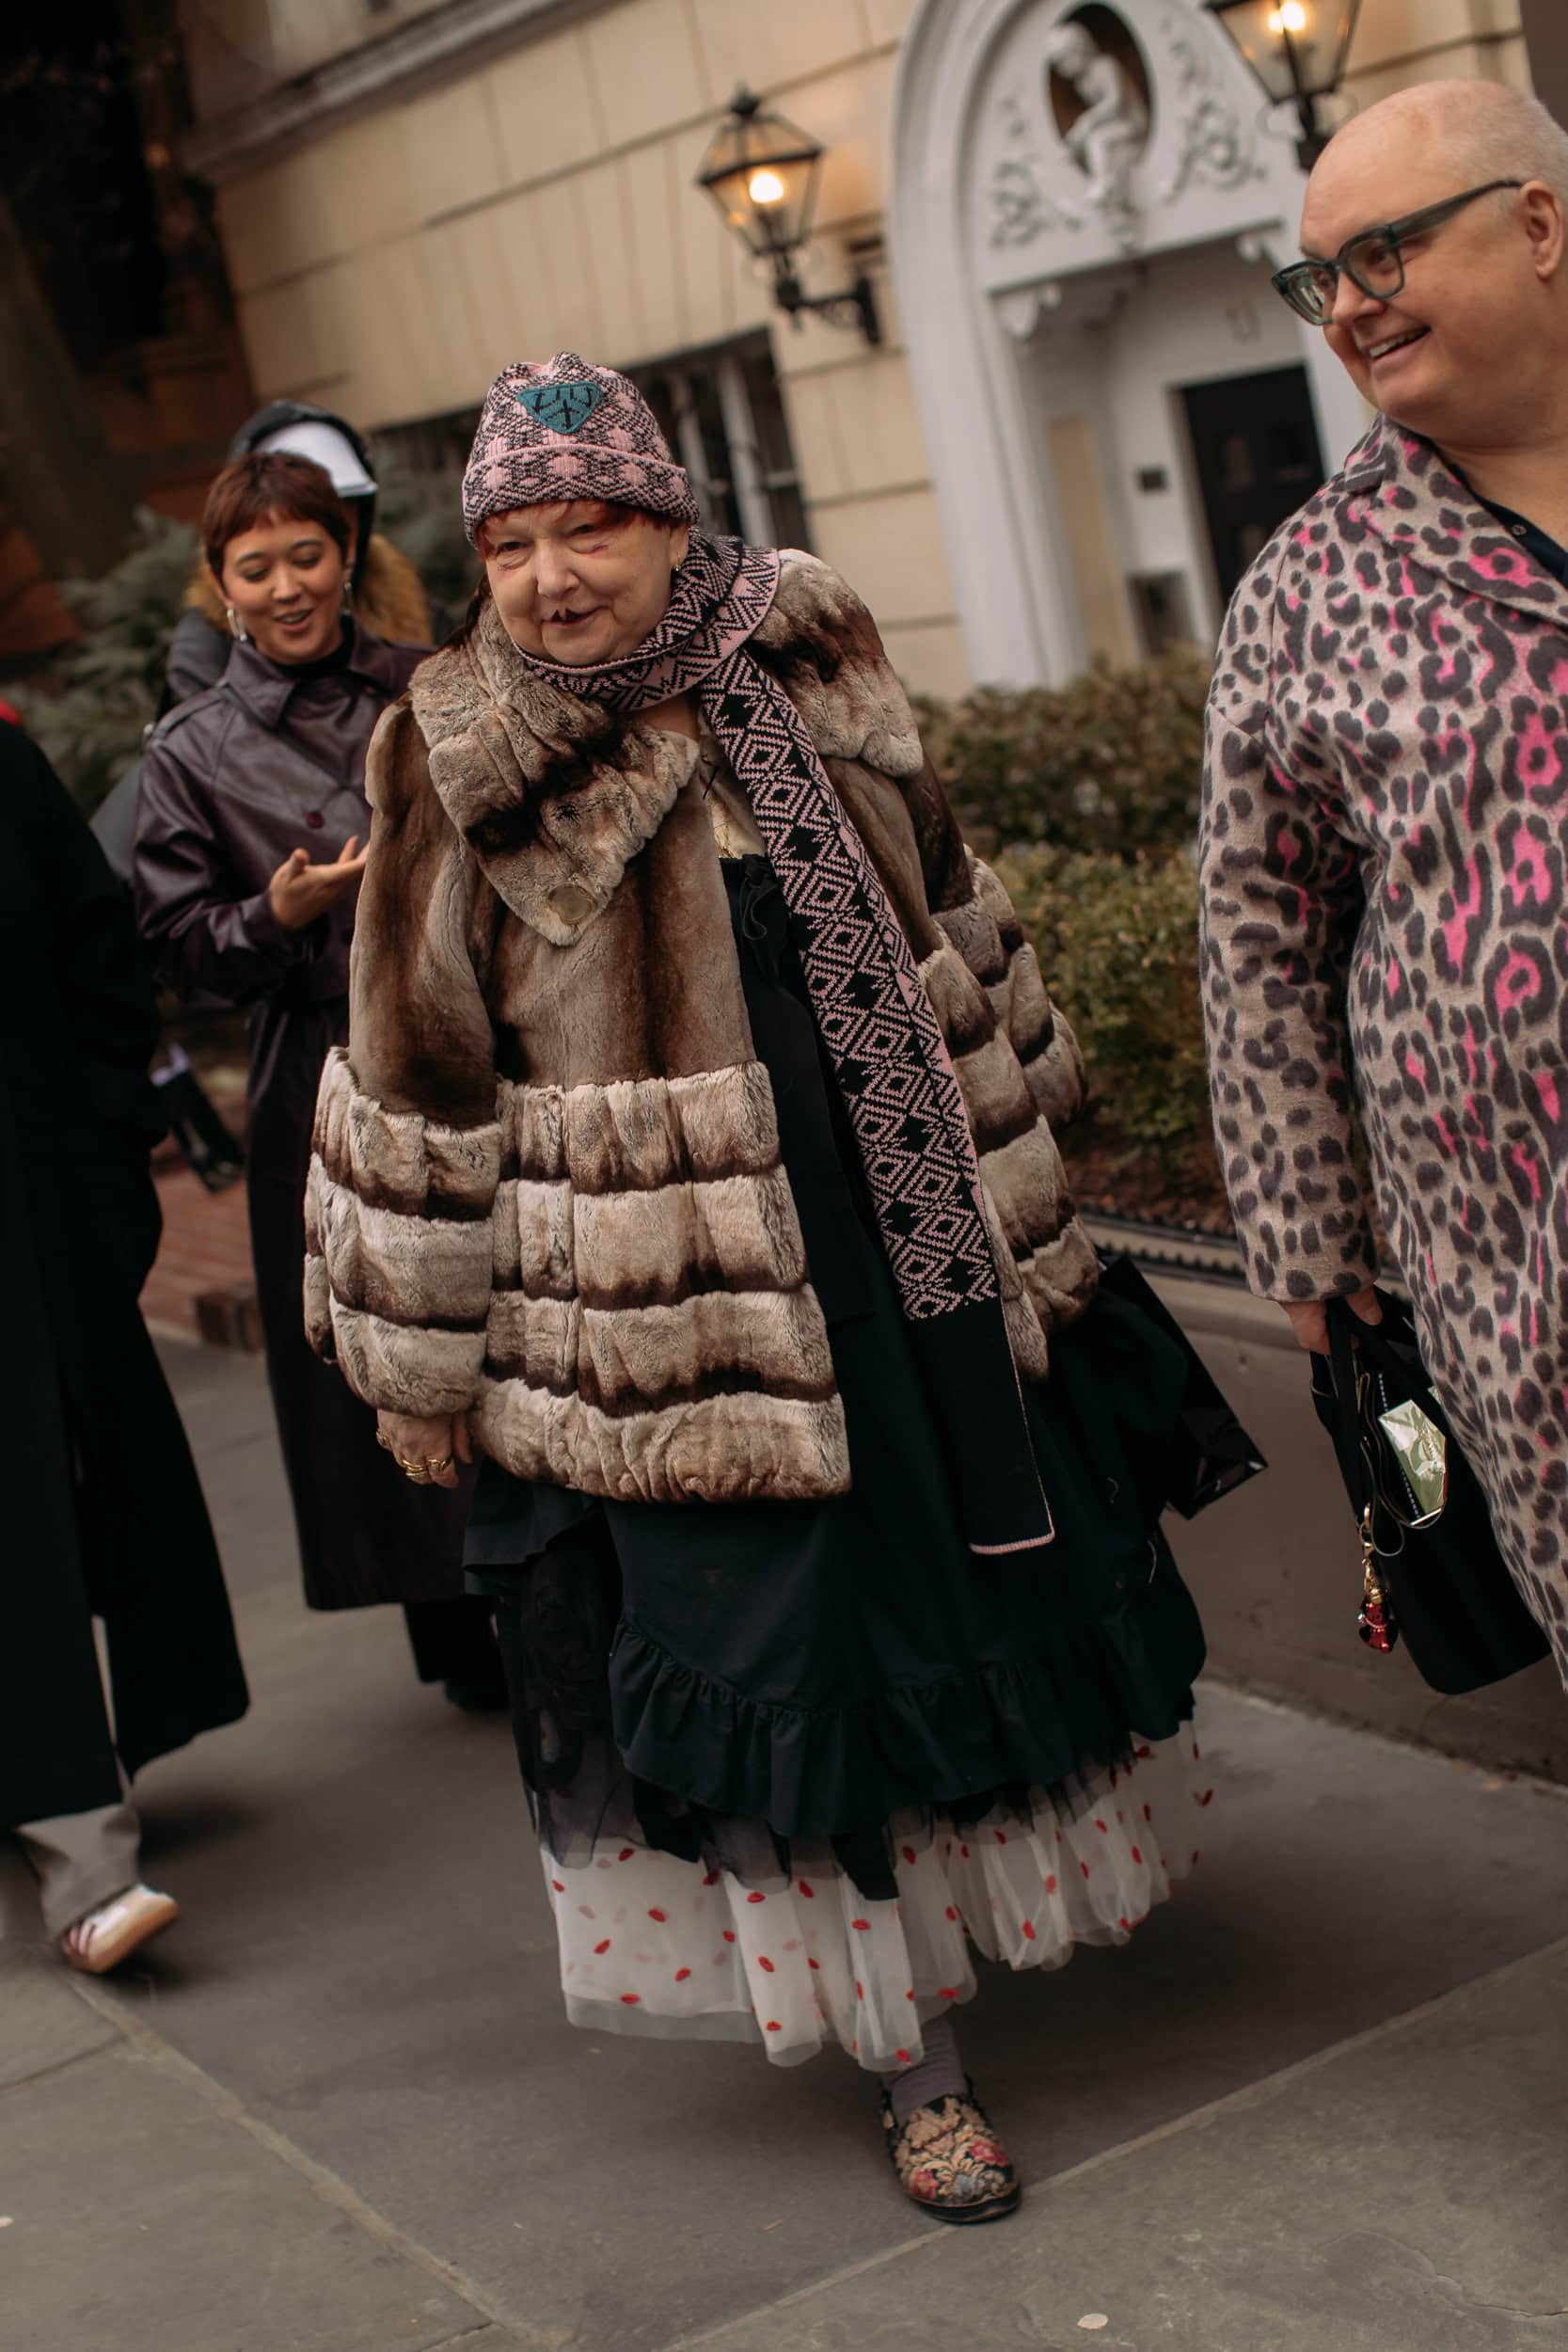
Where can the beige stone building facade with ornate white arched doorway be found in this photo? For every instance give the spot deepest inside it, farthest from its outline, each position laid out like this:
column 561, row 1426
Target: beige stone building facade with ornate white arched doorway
column 1087, row 401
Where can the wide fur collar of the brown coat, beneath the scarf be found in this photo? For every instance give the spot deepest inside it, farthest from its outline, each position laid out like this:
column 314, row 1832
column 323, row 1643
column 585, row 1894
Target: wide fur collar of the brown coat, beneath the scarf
column 558, row 796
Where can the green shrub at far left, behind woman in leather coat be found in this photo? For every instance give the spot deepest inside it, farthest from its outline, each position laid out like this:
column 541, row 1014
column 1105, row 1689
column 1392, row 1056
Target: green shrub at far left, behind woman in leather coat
column 98, row 695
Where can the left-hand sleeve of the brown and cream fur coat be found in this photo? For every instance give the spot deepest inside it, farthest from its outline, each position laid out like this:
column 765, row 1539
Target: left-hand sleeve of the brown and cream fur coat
column 408, row 1144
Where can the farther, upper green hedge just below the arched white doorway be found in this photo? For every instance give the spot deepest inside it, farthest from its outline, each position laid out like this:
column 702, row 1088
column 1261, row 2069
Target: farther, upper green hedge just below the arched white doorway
column 1108, row 763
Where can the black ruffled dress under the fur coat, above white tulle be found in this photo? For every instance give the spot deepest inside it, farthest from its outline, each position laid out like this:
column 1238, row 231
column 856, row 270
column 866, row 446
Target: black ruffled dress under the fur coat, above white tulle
column 728, row 1681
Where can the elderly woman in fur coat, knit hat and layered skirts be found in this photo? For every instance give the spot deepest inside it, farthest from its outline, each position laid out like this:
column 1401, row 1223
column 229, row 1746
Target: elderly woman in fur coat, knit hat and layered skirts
column 692, row 1163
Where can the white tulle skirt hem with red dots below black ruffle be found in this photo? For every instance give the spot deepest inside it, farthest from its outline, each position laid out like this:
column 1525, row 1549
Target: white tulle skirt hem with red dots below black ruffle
column 659, row 1946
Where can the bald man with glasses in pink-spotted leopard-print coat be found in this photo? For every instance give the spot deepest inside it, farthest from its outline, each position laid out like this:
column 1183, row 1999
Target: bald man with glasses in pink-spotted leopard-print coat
column 1386, row 813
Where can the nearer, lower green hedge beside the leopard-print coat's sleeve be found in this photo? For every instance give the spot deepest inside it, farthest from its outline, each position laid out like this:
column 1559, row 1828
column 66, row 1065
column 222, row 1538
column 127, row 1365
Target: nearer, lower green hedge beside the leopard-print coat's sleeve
column 1118, row 947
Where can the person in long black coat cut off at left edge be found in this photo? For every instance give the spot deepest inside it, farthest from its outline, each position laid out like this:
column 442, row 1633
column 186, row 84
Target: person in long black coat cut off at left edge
column 100, row 1499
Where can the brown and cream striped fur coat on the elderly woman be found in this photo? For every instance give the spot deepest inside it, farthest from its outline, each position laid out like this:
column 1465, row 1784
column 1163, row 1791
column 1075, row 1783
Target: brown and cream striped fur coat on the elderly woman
column 547, row 1184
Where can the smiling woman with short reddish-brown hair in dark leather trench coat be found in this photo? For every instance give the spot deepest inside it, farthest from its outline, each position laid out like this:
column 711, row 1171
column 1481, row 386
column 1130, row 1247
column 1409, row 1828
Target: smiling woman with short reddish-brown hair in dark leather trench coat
column 248, row 871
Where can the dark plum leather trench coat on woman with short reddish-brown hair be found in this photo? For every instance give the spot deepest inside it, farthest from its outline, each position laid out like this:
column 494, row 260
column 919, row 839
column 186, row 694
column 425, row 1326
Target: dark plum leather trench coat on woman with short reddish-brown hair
column 239, row 777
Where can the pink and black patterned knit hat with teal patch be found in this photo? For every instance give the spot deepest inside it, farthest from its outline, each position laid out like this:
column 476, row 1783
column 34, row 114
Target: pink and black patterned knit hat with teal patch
column 570, row 432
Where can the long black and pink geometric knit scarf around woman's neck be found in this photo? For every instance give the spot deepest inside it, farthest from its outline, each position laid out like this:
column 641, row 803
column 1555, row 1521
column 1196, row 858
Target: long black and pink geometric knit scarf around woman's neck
column 866, row 991
